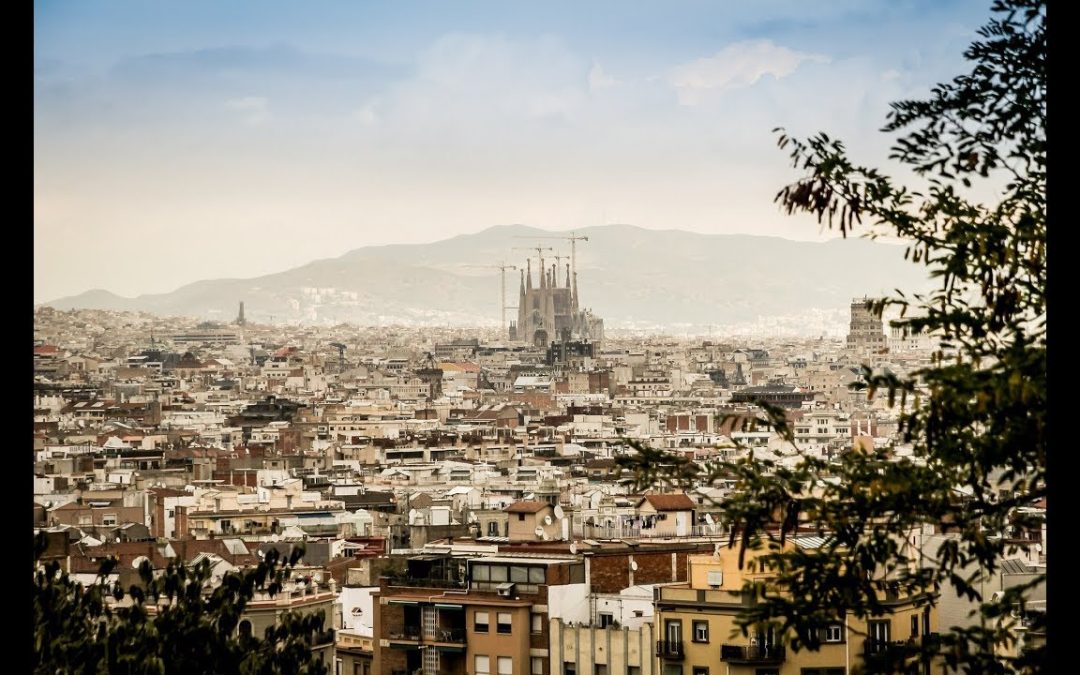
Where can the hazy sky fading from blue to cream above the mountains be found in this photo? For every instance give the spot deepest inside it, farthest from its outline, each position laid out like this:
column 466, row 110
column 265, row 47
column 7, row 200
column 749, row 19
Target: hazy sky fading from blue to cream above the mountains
column 187, row 140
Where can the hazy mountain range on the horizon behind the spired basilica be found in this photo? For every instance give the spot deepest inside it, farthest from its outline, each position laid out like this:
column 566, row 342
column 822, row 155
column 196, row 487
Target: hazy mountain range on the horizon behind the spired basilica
column 627, row 275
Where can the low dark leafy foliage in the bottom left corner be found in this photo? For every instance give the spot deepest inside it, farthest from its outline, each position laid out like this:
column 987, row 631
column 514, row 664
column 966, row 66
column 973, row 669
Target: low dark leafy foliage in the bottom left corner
column 173, row 623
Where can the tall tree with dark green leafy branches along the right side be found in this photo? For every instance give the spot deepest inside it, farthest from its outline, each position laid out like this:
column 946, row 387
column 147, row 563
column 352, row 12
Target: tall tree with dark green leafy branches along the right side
column 977, row 417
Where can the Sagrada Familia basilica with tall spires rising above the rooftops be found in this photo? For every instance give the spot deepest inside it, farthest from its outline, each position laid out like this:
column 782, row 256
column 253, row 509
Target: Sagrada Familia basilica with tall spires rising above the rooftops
column 550, row 314
